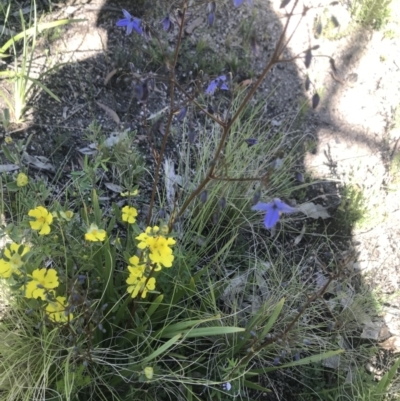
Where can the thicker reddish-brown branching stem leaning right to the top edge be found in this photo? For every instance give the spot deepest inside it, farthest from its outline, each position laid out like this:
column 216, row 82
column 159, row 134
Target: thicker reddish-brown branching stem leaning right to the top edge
column 274, row 59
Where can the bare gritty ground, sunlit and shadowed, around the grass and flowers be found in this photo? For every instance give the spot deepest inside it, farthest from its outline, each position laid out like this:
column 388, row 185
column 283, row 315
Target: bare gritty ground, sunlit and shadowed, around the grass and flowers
column 353, row 133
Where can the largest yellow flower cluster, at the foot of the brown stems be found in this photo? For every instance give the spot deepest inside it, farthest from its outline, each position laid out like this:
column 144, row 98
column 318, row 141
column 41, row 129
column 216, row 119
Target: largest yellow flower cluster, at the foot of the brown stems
column 157, row 252
